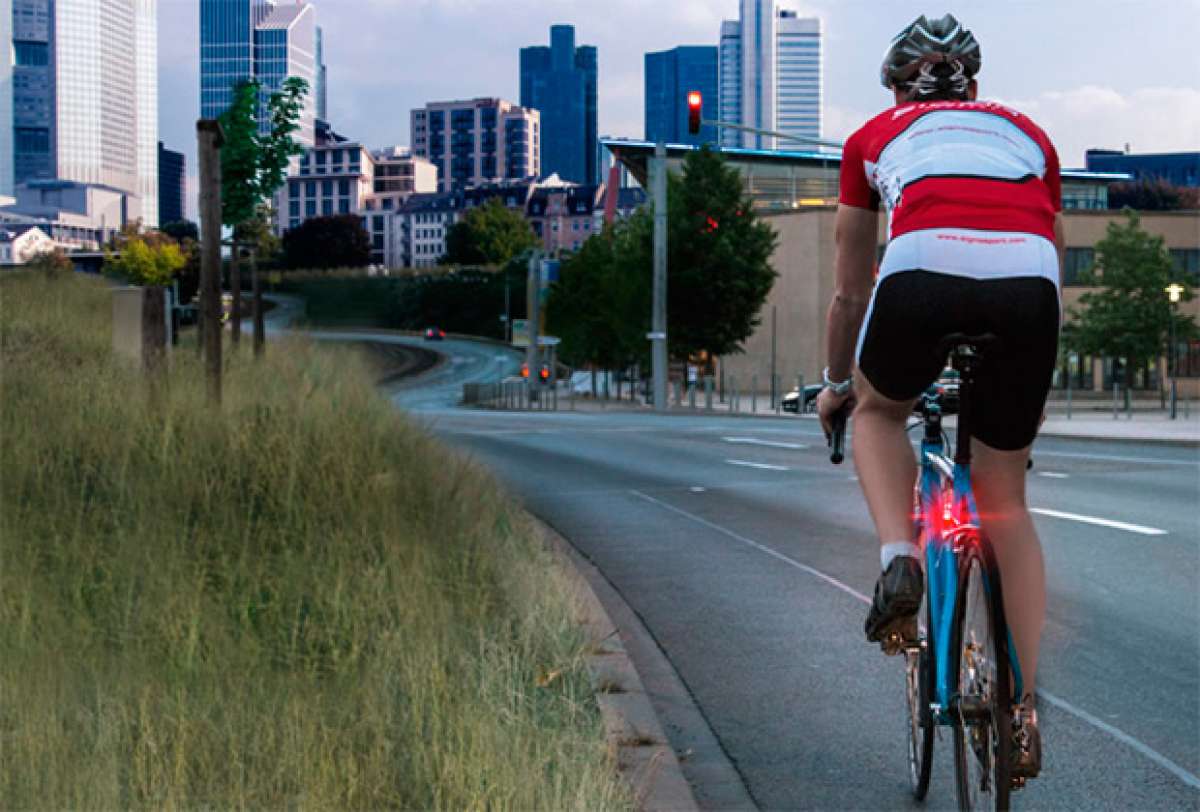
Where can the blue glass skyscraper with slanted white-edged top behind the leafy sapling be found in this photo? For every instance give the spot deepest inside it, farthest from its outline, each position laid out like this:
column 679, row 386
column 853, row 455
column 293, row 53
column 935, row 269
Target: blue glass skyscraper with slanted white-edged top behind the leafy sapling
column 265, row 41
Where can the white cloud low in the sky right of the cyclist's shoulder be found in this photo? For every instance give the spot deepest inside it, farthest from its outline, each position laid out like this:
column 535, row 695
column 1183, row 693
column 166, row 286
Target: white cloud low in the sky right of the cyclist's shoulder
column 1149, row 119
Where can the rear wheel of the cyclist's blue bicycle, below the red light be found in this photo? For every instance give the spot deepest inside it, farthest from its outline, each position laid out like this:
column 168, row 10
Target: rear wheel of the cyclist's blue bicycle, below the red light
column 980, row 660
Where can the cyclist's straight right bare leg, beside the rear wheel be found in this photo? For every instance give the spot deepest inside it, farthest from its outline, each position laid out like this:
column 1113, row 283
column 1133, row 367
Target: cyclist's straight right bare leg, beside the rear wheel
column 998, row 479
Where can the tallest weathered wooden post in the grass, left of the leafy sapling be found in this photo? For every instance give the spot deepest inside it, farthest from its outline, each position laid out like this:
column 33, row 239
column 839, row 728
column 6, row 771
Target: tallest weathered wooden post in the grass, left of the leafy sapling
column 208, row 134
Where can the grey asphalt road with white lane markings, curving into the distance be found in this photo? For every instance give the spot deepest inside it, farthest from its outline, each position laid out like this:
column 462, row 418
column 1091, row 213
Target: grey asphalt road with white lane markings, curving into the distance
column 749, row 557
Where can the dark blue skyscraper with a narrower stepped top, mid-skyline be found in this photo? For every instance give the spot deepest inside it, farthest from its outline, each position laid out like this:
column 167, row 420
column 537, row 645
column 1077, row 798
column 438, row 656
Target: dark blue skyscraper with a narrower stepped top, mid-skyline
column 561, row 83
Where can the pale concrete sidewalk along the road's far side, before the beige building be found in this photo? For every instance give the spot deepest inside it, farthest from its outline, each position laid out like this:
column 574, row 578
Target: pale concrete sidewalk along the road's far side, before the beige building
column 1089, row 420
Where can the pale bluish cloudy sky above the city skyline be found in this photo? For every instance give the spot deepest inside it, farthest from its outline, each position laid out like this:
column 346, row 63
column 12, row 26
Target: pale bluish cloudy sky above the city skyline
column 1091, row 73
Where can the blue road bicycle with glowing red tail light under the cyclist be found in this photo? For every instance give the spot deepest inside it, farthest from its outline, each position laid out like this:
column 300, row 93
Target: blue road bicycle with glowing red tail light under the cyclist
column 959, row 655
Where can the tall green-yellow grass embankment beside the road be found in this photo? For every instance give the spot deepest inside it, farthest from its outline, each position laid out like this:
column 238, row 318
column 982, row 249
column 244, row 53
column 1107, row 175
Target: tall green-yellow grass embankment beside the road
column 299, row 600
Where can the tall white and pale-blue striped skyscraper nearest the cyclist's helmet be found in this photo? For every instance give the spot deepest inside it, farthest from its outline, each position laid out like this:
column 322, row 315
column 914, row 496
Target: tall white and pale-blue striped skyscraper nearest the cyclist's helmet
column 771, row 75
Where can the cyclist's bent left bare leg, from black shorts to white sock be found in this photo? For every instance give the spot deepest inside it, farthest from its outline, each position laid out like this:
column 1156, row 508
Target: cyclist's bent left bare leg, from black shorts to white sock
column 885, row 461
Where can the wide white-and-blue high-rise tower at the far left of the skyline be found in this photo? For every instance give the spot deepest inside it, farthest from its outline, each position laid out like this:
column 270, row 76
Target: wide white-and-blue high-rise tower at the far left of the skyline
column 86, row 95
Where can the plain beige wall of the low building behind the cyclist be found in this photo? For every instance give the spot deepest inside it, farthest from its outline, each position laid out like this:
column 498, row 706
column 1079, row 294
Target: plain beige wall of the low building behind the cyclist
column 805, row 261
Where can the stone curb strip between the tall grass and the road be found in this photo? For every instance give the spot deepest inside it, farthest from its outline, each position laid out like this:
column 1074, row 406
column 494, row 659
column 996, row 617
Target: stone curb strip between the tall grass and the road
column 633, row 731
